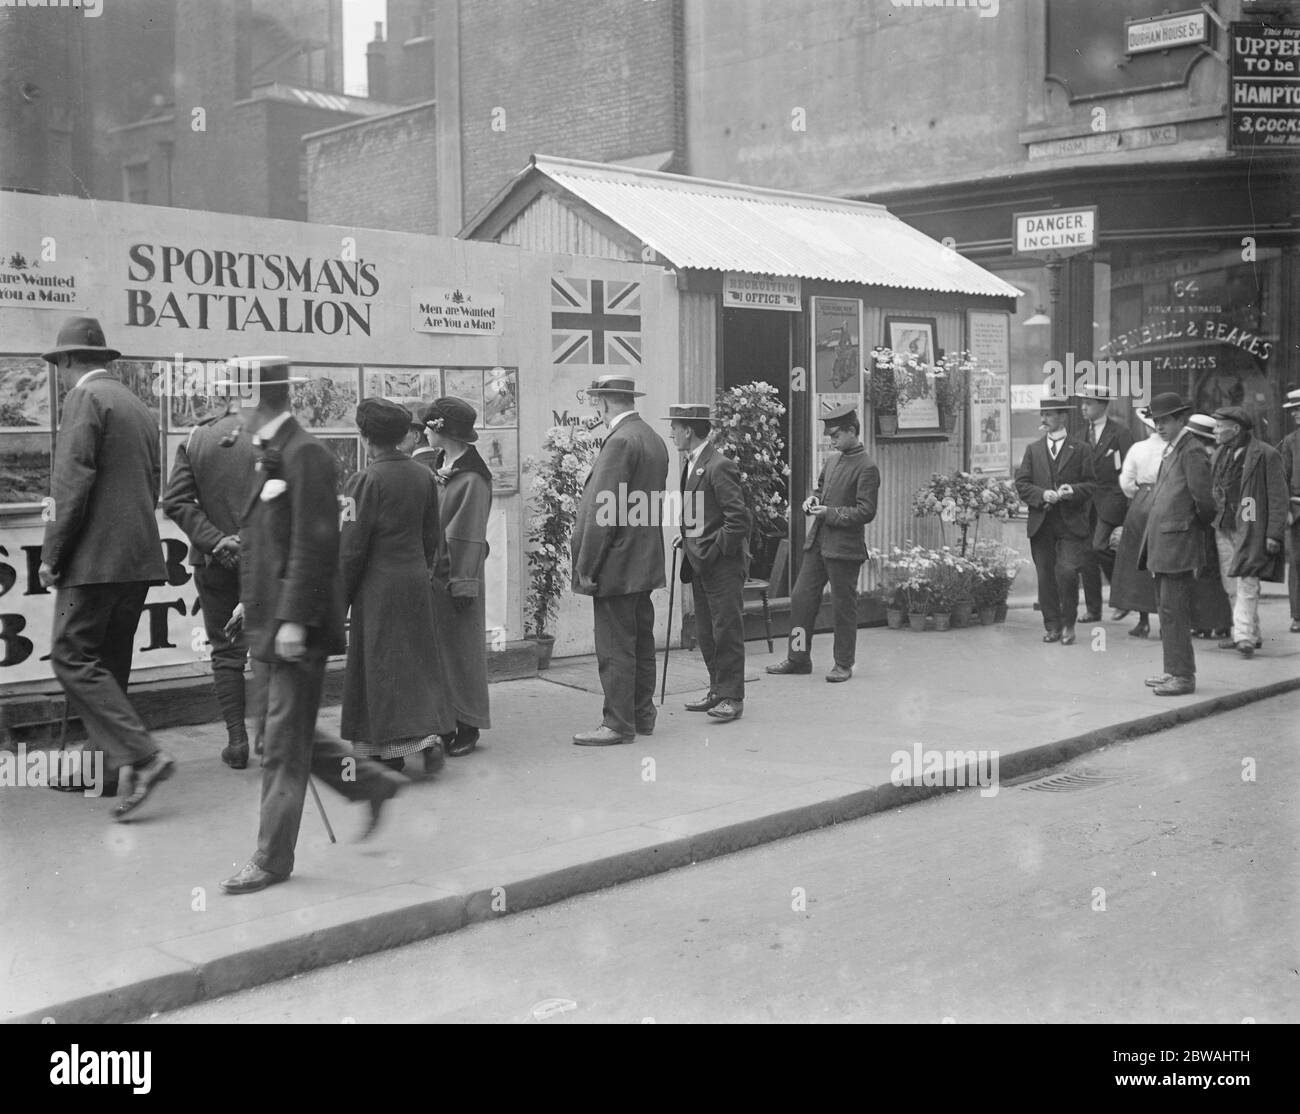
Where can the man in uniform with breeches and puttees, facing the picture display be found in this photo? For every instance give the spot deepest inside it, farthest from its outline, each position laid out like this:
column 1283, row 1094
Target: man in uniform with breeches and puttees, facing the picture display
column 205, row 497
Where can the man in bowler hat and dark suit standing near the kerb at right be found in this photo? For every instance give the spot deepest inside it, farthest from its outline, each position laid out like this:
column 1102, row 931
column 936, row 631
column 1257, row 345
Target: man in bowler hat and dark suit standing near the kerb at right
column 1175, row 545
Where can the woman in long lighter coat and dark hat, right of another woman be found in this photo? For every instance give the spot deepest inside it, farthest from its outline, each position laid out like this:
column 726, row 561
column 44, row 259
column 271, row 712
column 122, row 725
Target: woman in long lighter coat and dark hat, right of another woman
column 465, row 495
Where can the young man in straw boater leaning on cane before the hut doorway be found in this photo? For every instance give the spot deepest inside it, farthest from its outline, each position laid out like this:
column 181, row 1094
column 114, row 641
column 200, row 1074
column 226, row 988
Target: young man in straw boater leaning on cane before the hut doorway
column 714, row 540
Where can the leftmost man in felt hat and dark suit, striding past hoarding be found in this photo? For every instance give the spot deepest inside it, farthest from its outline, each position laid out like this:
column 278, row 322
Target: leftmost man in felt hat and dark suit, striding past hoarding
column 102, row 552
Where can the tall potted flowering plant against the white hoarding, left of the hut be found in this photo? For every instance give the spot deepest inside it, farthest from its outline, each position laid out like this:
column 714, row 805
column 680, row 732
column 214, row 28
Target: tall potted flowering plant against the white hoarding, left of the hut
column 554, row 495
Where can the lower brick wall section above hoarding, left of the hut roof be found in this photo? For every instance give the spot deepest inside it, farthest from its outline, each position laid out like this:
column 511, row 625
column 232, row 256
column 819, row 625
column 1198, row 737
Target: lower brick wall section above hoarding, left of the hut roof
column 380, row 175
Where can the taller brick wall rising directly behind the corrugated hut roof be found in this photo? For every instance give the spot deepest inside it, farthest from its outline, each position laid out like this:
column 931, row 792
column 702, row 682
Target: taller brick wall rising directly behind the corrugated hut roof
column 599, row 80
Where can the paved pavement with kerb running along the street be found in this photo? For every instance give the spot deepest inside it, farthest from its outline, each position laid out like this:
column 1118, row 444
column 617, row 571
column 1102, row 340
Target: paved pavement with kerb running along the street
column 111, row 922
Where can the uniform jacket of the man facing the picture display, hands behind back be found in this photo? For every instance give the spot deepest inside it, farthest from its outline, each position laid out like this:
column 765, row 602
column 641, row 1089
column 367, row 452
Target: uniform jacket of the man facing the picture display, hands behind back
column 210, row 483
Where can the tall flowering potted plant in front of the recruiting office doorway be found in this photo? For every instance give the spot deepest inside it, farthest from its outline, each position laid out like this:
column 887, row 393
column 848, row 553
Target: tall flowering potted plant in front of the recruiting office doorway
column 748, row 428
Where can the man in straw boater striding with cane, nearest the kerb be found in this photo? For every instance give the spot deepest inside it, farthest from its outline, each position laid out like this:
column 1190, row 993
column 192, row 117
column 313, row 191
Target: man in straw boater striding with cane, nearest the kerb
column 292, row 609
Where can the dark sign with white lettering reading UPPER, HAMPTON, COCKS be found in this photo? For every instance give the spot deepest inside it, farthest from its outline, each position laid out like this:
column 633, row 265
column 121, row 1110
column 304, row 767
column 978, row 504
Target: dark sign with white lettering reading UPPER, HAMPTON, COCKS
column 1264, row 112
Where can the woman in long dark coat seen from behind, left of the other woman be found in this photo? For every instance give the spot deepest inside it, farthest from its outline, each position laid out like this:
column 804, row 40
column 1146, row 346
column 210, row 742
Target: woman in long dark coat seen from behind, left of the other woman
column 393, row 701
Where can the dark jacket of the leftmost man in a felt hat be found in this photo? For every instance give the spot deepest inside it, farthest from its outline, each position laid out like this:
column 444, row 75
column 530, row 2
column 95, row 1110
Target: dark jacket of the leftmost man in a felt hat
column 106, row 487
